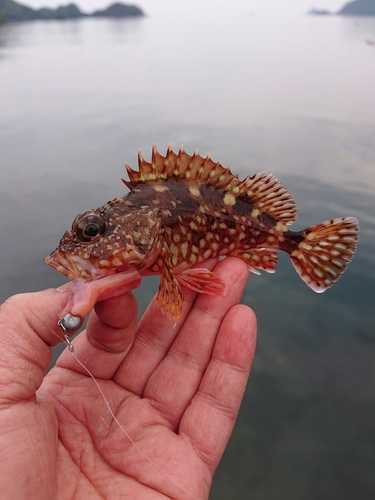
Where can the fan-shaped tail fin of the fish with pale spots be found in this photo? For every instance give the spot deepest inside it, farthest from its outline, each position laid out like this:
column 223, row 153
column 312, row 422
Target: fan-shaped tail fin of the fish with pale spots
column 326, row 250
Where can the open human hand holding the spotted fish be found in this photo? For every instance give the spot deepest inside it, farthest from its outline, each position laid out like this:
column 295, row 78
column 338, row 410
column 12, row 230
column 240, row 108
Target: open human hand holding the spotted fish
column 175, row 390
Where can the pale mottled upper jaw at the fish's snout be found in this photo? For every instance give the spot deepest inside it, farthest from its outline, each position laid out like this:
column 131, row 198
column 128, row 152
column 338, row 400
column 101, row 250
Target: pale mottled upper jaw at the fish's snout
column 74, row 267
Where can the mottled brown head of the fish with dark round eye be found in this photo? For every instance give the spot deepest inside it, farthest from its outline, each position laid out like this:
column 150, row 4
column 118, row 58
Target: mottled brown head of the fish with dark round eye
column 107, row 241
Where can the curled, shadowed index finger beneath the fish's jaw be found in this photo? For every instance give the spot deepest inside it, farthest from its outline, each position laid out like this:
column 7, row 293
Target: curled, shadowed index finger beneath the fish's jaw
column 107, row 339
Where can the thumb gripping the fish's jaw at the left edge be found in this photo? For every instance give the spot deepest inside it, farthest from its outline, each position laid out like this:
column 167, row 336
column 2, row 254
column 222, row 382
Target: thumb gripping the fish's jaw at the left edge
column 28, row 327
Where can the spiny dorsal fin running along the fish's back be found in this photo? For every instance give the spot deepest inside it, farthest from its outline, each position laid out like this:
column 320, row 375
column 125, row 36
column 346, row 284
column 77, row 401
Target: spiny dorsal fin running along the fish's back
column 262, row 191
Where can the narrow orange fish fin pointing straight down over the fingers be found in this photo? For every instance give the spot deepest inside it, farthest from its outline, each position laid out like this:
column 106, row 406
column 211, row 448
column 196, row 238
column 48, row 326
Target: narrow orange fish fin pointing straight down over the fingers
column 169, row 295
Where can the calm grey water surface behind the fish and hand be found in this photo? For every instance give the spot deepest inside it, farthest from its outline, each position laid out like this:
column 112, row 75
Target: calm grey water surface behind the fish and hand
column 292, row 96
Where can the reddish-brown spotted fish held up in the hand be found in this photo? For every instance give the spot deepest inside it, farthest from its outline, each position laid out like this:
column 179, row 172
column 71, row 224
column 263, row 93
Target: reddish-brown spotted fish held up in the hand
column 181, row 210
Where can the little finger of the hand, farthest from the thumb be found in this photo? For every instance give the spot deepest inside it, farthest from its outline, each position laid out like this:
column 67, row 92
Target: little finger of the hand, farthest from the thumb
column 210, row 418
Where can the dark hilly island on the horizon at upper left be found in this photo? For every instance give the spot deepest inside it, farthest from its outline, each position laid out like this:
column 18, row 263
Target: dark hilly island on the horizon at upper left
column 13, row 11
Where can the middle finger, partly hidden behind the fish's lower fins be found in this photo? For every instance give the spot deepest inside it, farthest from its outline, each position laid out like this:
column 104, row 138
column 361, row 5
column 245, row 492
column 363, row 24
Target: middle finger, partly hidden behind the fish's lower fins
column 156, row 333
